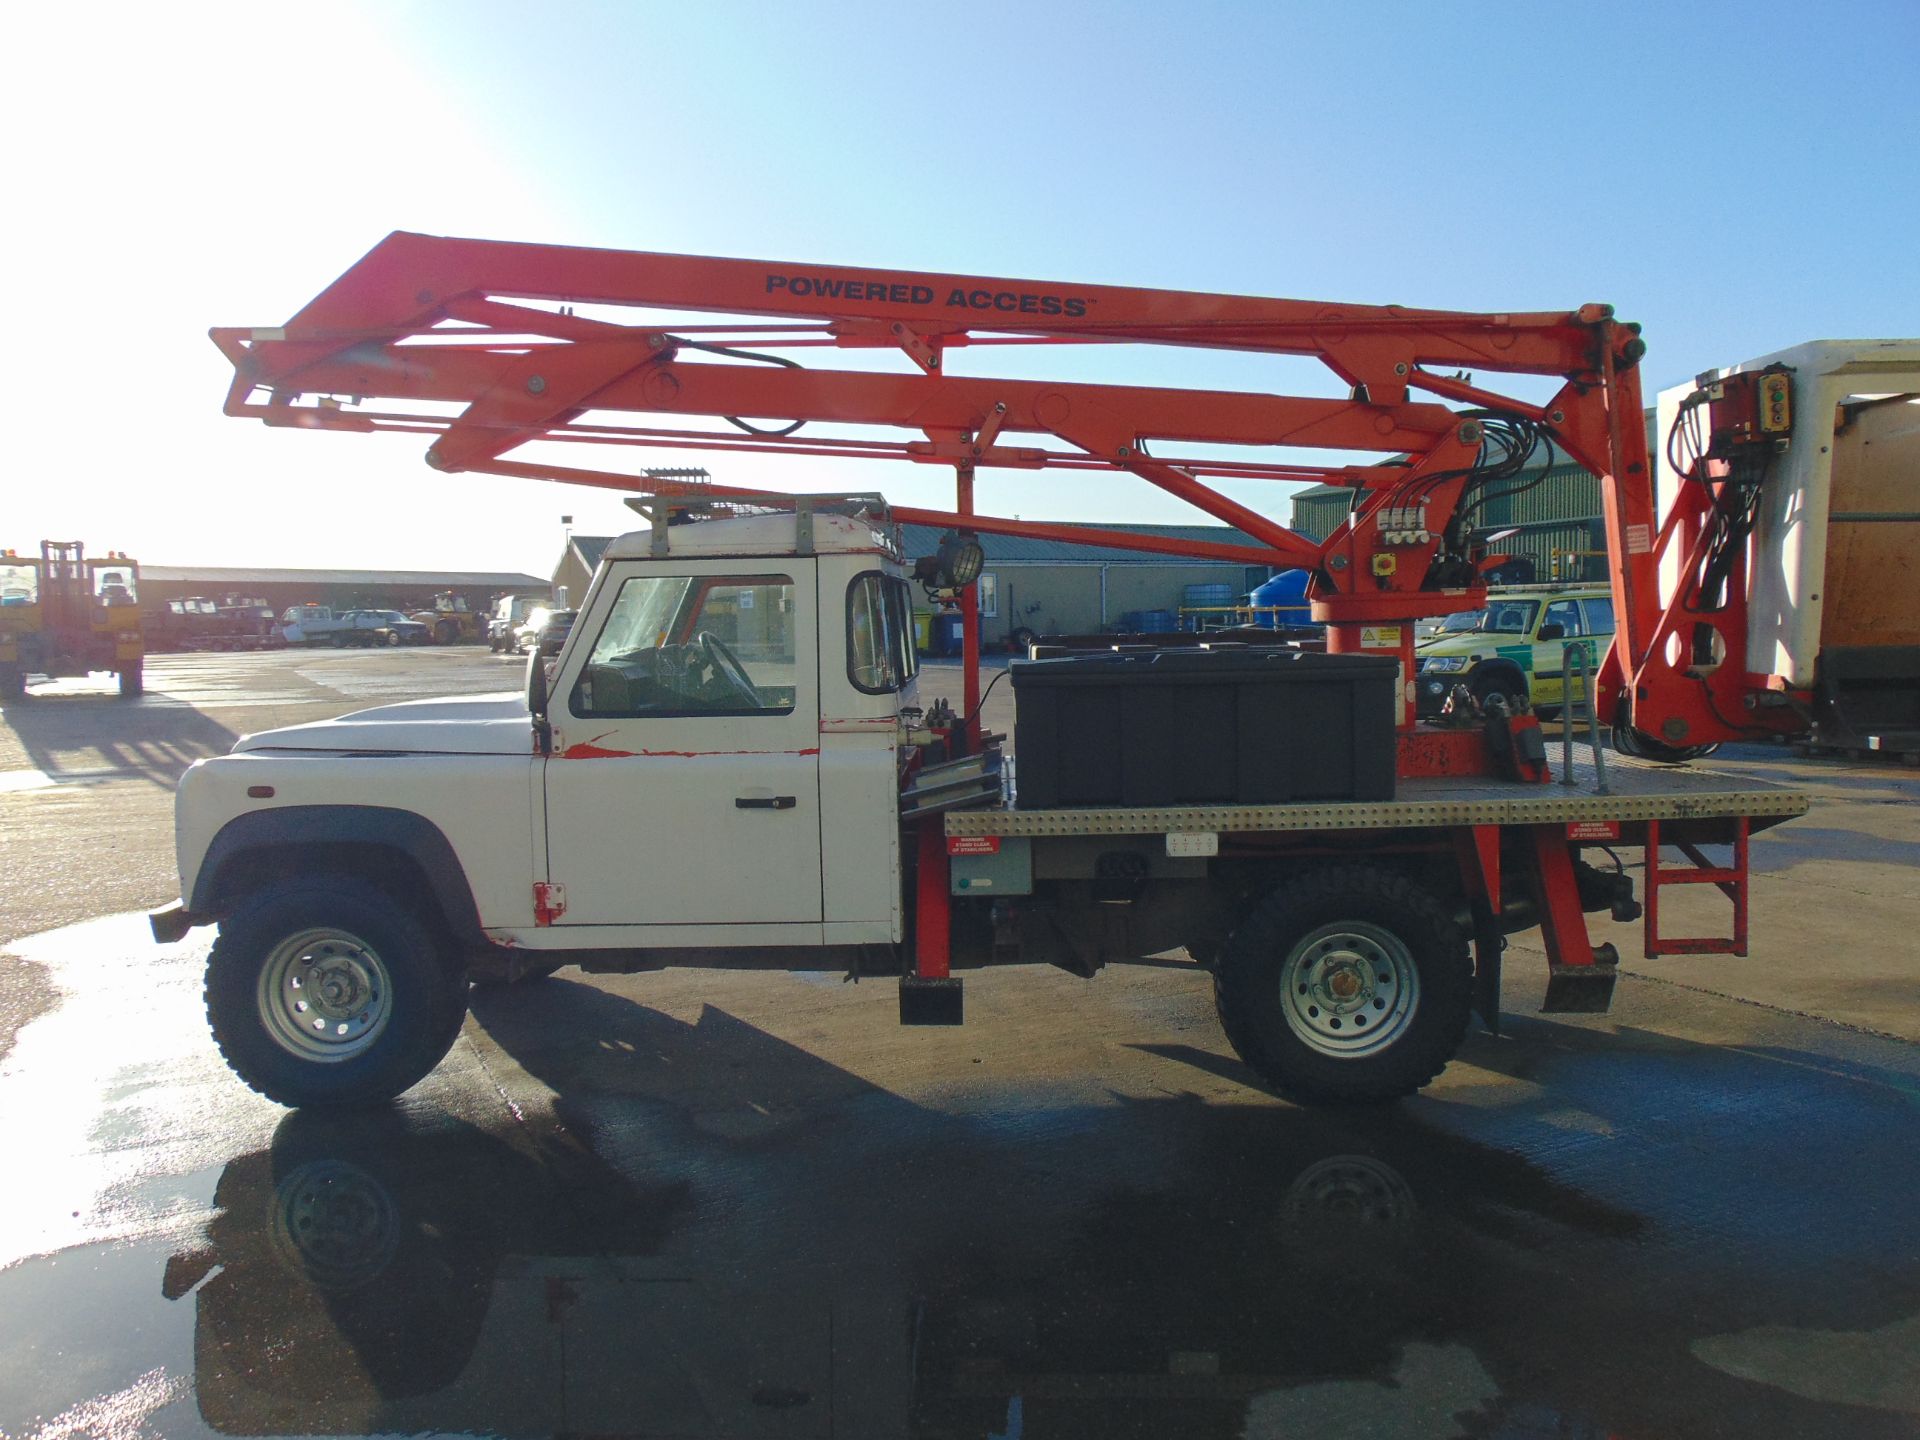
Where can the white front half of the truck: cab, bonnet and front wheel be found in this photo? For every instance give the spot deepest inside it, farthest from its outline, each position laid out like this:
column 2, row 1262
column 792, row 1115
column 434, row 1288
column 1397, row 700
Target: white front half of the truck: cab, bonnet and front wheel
column 667, row 792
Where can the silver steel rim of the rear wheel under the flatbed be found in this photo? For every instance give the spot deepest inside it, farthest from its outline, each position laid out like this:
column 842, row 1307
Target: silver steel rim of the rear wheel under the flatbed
column 1349, row 990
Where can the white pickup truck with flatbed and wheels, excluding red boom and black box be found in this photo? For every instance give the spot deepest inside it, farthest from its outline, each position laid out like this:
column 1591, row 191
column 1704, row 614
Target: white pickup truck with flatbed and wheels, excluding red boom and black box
column 731, row 765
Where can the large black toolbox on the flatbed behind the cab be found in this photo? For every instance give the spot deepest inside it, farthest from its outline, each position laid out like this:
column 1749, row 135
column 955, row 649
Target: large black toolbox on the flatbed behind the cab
column 1197, row 727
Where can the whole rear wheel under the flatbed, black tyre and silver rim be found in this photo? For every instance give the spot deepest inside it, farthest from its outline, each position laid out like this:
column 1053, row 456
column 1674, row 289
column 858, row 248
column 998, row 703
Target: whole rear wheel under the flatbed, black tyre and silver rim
column 1347, row 986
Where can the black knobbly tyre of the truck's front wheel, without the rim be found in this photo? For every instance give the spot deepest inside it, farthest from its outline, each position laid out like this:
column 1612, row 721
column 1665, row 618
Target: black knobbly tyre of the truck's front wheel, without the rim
column 425, row 997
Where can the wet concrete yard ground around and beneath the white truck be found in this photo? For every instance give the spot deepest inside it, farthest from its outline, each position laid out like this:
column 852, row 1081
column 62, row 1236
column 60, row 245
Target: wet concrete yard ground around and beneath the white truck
column 706, row 1203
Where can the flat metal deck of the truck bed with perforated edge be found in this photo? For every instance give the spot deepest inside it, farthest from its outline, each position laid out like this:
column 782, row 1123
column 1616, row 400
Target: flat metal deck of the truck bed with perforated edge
column 1637, row 792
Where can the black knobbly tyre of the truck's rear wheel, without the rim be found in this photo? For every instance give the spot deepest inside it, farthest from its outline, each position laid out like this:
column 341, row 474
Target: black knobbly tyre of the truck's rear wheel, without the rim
column 1380, row 901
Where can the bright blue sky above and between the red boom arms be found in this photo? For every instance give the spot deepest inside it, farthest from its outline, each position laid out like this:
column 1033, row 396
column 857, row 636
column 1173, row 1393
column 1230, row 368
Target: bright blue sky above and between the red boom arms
column 1739, row 180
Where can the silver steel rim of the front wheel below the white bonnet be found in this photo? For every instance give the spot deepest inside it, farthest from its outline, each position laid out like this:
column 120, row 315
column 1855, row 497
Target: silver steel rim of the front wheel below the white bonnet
column 325, row 996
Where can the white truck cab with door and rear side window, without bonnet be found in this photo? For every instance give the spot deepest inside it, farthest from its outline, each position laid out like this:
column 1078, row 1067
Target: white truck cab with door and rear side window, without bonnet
column 750, row 692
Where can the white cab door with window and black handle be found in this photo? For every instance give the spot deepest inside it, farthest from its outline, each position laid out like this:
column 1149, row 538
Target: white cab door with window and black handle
column 684, row 782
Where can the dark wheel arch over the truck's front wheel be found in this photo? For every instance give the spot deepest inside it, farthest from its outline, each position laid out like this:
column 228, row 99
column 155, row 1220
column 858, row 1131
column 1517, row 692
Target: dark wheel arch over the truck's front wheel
column 398, row 852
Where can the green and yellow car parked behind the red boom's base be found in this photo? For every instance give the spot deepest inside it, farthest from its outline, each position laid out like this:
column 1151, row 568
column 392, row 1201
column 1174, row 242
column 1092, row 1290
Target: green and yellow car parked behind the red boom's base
column 1516, row 646
